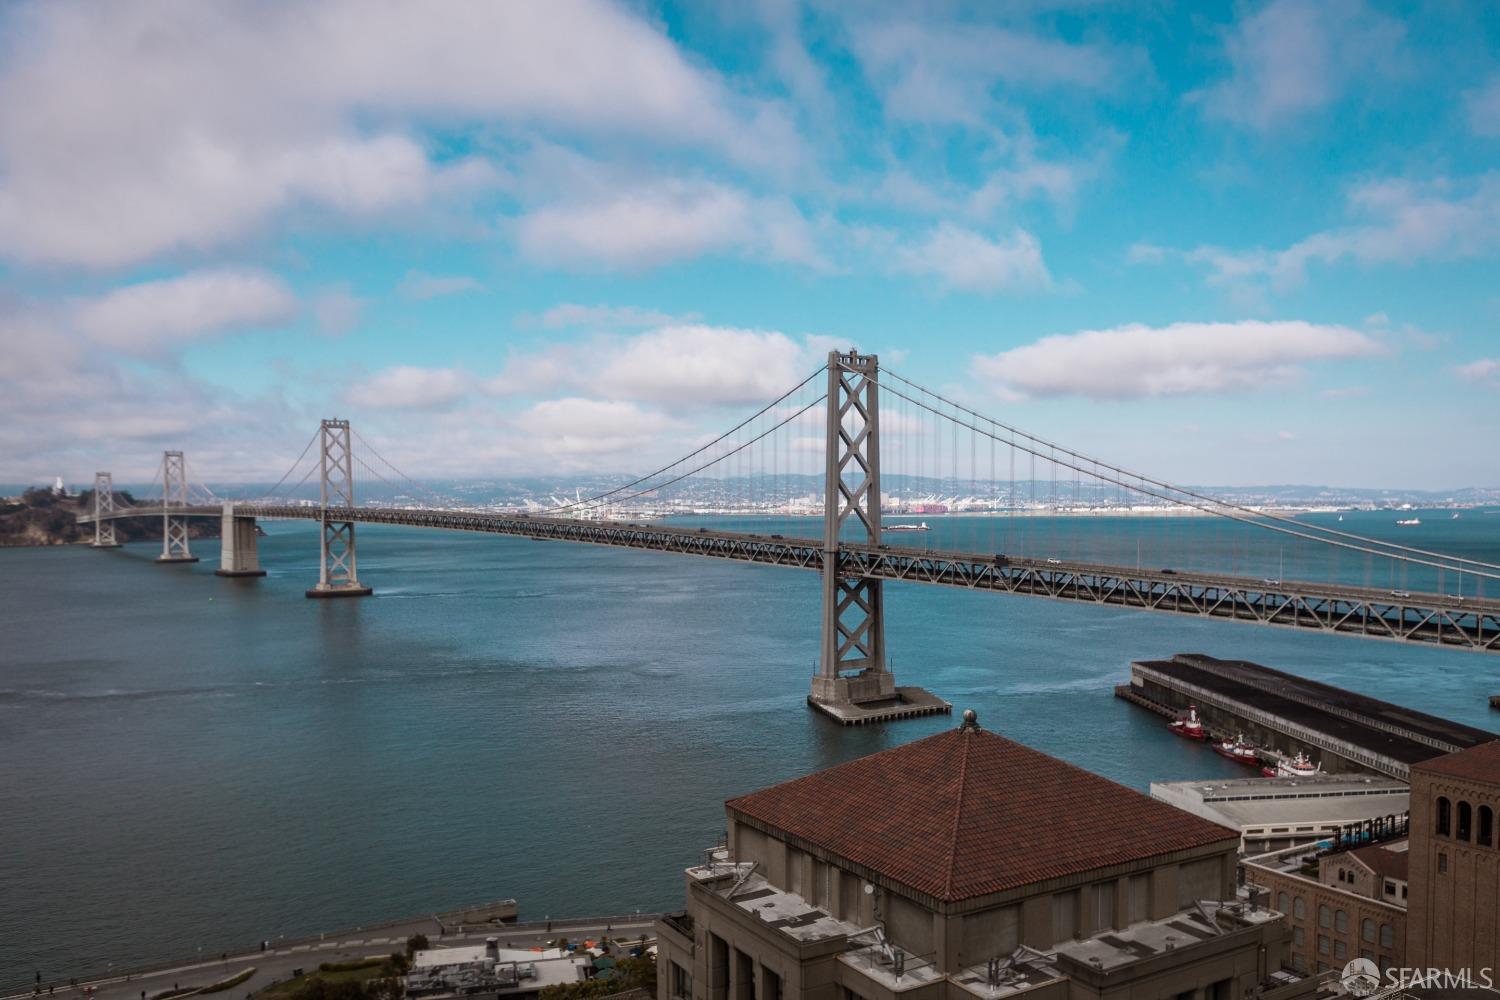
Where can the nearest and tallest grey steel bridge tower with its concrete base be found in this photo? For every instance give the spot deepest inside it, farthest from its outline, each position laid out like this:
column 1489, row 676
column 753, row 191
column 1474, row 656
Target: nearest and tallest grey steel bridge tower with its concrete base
column 854, row 683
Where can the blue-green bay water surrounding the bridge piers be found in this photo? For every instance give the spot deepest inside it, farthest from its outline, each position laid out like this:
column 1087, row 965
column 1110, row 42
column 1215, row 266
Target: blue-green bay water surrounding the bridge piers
column 193, row 762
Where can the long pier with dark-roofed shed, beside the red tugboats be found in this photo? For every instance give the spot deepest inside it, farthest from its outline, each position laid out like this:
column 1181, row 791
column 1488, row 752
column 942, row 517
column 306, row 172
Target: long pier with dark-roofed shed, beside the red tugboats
column 1343, row 731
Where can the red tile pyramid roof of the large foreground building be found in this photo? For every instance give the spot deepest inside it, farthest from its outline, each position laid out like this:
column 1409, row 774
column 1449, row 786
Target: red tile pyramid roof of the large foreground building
column 967, row 813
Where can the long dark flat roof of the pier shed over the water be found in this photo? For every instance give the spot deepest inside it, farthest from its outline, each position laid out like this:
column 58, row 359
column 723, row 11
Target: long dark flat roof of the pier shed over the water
column 1348, row 716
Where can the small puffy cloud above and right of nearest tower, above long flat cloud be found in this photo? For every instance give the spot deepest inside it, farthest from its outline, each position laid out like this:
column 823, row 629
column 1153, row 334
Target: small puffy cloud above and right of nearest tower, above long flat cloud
column 964, row 260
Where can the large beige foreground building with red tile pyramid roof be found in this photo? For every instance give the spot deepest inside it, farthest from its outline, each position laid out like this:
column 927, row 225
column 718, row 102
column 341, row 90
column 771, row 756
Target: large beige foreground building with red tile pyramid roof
column 967, row 866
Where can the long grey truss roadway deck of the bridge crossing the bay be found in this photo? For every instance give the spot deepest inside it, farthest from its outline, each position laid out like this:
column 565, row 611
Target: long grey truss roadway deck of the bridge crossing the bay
column 1331, row 608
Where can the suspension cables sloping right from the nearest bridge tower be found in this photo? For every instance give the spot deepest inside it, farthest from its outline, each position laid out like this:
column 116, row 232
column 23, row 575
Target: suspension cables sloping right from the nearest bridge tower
column 1159, row 490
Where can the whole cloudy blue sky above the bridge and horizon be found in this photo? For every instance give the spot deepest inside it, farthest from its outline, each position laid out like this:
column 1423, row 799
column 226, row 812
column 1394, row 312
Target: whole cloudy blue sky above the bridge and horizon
column 1238, row 244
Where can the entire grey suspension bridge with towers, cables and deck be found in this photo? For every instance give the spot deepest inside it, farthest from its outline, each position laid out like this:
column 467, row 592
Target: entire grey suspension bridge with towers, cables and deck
column 817, row 454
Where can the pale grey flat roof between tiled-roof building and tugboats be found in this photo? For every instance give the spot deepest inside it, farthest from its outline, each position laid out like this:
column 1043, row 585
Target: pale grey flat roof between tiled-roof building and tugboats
column 1289, row 801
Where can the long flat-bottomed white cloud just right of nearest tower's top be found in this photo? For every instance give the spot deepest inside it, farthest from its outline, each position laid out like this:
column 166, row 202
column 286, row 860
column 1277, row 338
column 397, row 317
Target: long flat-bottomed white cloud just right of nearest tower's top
column 1186, row 358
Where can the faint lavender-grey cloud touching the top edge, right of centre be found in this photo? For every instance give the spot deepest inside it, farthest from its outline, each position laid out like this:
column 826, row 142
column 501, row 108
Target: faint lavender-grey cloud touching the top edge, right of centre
column 1294, row 58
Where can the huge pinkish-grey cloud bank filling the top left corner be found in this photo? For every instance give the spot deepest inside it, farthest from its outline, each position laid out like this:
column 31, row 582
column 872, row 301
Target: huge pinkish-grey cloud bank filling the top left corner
column 128, row 131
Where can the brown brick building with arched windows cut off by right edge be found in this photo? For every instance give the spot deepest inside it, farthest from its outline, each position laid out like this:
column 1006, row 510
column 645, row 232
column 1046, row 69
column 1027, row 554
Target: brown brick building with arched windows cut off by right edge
column 1456, row 861
